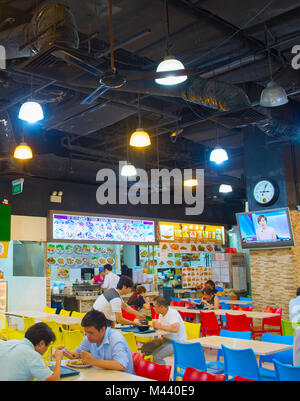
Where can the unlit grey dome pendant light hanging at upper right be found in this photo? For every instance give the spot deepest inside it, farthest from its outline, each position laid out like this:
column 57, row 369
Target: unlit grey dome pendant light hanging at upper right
column 273, row 95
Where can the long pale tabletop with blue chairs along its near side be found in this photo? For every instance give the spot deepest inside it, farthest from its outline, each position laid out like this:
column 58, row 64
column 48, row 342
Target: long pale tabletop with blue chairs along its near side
column 260, row 348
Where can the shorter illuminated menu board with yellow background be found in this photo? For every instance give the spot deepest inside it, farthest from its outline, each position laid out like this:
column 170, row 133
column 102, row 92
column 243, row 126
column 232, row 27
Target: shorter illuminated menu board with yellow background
column 190, row 233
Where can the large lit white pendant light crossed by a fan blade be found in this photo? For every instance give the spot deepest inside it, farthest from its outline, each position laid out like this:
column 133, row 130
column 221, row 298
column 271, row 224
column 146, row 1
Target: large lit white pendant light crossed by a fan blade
column 169, row 63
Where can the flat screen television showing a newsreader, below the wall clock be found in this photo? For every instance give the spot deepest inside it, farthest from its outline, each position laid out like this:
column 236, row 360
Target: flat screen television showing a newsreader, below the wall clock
column 265, row 229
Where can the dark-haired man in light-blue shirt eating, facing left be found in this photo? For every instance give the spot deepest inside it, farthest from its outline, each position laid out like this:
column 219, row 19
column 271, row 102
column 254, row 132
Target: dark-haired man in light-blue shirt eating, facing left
column 102, row 346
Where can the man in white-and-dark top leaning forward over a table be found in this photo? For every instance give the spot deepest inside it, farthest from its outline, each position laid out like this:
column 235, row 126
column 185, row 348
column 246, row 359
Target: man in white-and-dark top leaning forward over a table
column 111, row 303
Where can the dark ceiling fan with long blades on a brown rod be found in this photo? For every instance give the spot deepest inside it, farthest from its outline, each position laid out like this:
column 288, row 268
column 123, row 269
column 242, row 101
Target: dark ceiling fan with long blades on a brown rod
column 112, row 79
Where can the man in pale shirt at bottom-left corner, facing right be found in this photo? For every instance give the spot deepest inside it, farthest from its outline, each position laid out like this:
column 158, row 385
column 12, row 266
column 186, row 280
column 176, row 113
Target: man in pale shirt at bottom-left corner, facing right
column 21, row 360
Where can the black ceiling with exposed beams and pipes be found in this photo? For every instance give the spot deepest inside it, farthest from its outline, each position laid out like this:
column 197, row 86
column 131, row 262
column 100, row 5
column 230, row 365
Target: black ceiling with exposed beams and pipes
column 224, row 43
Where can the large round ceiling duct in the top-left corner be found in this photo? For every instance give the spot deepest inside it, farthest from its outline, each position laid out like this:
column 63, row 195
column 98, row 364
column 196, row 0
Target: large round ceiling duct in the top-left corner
column 52, row 24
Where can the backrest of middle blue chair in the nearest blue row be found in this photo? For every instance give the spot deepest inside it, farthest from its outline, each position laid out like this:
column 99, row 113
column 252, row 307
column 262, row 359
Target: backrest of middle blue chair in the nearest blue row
column 240, row 362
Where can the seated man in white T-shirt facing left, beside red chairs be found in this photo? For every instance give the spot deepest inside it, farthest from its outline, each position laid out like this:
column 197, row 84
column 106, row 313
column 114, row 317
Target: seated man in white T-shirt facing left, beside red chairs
column 172, row 324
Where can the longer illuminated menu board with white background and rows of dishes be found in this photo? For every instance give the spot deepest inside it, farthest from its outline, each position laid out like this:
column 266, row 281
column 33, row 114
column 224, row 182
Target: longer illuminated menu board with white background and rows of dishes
column 98, row 228
